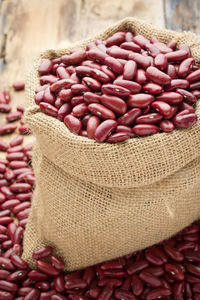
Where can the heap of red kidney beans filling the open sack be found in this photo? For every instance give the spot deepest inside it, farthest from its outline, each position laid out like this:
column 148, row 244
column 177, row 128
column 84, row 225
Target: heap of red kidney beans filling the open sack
column 123, row 87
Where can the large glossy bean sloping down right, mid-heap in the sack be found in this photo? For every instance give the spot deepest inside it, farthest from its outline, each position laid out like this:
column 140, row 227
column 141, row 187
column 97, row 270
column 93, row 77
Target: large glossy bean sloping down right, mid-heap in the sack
column 114, row 103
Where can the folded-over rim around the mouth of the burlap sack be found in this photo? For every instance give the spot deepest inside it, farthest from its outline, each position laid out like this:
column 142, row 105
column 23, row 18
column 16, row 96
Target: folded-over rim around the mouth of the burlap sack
column 147, row 160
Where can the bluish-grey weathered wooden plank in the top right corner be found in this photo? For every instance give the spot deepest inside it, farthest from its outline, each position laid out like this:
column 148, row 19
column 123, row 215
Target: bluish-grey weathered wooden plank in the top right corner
column 182, row 15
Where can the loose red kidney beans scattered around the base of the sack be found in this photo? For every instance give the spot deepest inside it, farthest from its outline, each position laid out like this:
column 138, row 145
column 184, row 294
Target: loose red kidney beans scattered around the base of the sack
column 169, row 270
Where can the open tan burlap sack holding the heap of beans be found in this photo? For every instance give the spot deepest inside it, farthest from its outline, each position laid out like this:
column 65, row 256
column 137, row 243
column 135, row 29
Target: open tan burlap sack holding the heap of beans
column 94, row 202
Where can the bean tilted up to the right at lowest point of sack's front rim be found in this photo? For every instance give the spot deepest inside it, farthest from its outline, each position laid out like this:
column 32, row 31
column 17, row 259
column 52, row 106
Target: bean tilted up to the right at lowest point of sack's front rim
column 104, row 130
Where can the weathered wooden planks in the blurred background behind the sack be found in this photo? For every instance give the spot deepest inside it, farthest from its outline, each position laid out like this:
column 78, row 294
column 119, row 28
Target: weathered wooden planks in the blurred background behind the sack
column 29, row 26
